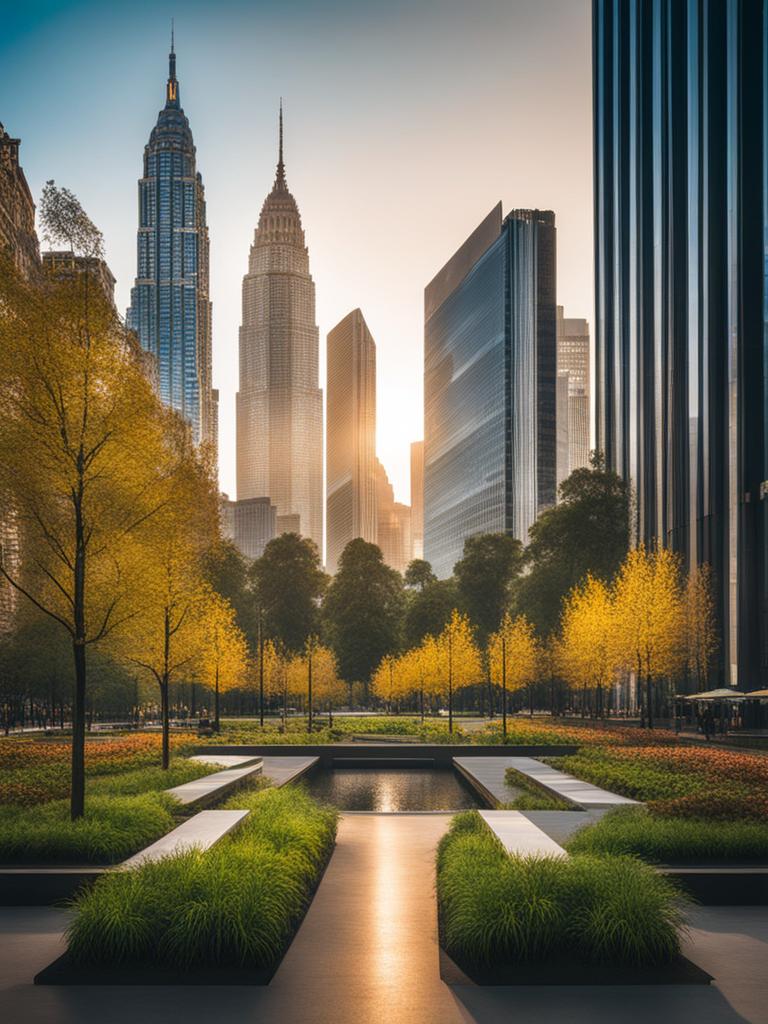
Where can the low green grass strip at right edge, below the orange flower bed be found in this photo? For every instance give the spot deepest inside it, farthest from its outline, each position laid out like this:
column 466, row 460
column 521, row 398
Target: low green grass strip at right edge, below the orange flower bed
column 672, row 841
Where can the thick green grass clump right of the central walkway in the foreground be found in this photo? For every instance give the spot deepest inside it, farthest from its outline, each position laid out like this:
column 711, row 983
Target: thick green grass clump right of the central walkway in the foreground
column 497, row 909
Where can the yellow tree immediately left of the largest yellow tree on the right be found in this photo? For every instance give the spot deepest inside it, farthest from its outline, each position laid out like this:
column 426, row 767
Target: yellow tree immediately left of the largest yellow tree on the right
column 587, row 652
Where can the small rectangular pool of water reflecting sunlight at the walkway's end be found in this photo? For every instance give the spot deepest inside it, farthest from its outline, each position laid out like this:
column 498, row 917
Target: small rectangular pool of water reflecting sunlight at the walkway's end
column 393, row 790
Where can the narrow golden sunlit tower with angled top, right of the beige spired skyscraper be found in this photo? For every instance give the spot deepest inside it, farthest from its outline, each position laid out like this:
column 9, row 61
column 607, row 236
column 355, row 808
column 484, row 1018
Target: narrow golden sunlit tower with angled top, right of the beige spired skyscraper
column 351, row 437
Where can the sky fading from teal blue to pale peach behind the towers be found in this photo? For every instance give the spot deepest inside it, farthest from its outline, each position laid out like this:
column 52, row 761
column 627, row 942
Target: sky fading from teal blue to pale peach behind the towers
column 406, row 122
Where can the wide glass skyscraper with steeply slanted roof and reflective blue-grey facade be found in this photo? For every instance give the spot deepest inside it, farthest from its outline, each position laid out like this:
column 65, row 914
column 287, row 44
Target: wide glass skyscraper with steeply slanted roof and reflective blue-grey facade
column 490, row 376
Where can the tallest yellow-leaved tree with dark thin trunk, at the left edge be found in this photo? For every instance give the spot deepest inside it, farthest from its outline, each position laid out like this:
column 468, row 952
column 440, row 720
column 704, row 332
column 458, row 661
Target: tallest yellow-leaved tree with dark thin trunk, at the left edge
column 81, row 442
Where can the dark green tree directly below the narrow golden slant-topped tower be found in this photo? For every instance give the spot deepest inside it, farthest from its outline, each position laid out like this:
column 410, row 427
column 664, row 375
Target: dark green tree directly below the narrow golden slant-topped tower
column 363, row 611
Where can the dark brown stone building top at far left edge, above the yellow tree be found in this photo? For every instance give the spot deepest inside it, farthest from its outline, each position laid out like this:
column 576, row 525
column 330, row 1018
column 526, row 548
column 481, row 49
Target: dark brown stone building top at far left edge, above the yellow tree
column 17, row 209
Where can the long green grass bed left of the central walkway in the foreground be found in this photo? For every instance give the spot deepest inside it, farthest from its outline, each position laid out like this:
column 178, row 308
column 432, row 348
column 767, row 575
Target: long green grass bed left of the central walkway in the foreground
column 238, row 905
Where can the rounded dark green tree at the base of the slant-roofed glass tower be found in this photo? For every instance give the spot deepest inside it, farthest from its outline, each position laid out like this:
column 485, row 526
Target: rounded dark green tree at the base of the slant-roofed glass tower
column 485, row 576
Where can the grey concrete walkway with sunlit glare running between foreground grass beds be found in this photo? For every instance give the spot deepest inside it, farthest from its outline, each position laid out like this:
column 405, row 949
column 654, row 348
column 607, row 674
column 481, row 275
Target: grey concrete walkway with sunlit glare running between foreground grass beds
column 367, row 954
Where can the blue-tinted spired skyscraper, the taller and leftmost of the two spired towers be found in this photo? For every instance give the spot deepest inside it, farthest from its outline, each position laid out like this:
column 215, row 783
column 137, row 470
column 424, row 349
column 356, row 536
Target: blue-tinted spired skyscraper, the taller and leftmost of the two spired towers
column 170, row 310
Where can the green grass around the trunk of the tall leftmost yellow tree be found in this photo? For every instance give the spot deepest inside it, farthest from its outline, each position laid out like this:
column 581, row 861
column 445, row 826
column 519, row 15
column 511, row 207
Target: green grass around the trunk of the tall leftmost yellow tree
column 111, row 830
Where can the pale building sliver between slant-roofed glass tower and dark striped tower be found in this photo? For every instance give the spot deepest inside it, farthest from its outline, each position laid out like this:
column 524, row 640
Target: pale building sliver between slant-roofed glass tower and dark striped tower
column 574, row 363
